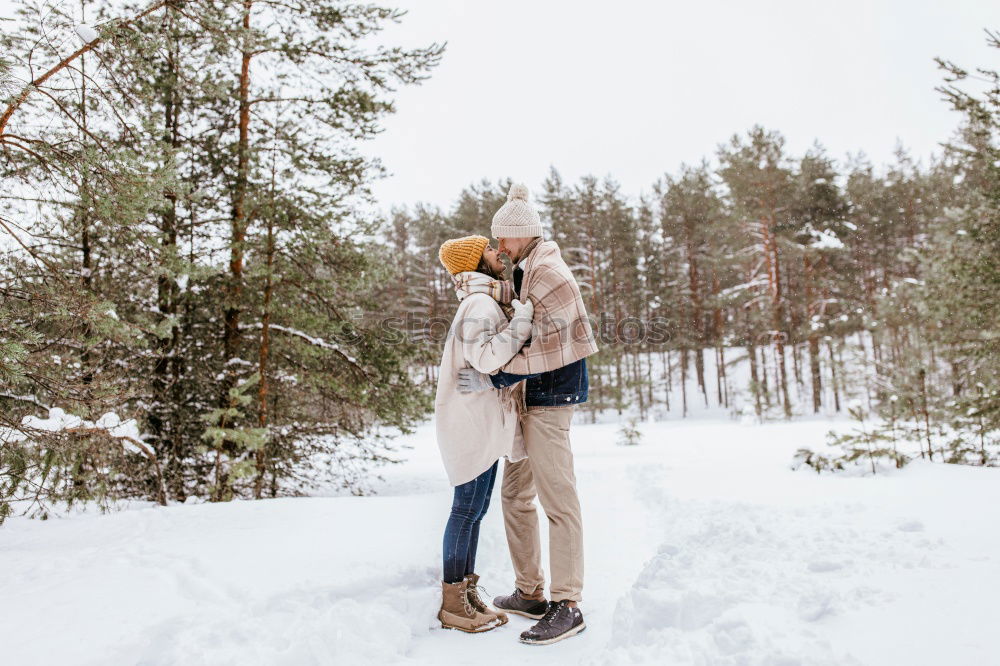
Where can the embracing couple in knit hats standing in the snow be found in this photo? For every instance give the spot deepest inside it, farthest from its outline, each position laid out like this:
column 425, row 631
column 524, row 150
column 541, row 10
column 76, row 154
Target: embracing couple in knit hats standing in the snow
column 513, row 369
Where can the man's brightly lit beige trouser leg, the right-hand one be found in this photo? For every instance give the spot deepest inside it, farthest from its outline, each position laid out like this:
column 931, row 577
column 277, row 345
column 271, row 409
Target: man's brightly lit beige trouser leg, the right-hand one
column 546, row 438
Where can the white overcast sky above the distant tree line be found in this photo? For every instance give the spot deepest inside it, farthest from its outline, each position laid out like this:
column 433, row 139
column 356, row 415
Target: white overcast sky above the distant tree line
column 633, row 88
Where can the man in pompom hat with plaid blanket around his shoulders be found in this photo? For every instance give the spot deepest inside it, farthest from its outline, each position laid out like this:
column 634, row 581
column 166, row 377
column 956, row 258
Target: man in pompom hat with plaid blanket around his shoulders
column 554, row 367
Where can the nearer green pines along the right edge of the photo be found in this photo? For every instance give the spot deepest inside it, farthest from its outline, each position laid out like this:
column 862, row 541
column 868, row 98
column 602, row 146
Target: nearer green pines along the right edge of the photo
column 938, row 384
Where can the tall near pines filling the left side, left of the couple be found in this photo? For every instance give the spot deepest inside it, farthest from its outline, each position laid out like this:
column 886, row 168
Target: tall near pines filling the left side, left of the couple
column 185, row 225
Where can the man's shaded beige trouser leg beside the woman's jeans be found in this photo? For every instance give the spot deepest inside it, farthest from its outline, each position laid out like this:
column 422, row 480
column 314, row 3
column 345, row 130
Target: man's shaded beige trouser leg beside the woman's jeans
column 520, row 519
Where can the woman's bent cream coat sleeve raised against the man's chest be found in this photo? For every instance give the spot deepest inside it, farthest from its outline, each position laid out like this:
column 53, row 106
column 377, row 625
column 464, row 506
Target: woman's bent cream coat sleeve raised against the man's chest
column 488, row 342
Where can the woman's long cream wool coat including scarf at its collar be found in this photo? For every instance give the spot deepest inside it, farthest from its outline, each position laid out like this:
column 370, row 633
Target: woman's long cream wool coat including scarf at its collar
column 474, row 430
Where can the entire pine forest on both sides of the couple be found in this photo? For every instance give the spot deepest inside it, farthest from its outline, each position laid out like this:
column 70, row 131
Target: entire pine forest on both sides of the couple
column 195, row 284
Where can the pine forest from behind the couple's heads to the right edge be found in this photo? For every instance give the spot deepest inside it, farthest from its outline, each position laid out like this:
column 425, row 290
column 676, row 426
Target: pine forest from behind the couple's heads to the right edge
column 844, row 287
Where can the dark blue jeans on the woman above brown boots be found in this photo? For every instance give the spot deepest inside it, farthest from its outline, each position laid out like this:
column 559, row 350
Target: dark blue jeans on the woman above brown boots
column 461, row 536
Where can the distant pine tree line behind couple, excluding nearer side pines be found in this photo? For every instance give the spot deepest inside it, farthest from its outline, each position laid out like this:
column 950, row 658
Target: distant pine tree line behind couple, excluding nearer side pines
column 780, row 281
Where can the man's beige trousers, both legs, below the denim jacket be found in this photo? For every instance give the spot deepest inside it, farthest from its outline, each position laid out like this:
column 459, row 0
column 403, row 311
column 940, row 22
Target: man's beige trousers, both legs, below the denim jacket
column 548, row 473
